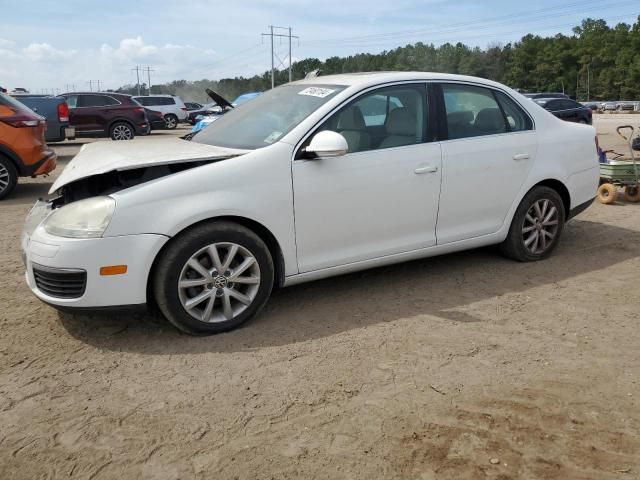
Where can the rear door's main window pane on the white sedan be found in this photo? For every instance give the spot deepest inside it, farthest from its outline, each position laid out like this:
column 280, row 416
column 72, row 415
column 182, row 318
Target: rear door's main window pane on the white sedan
column 472, row 111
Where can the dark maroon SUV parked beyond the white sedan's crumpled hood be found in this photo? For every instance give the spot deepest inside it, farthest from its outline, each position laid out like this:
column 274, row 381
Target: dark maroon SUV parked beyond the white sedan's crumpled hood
column 101, row 114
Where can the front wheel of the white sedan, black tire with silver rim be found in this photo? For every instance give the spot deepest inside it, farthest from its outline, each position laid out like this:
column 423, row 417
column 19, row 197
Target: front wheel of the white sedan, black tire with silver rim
column 224, row 300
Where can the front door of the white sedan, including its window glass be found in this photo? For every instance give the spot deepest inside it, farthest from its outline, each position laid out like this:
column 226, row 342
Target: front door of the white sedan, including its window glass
column 379, row 199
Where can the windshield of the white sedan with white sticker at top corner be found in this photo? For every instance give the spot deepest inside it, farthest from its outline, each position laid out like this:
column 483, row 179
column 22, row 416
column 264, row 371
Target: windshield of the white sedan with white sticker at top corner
column 268, row 117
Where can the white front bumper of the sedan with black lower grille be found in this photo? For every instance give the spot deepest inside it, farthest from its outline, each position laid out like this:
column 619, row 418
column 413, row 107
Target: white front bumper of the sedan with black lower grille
column 66, row 272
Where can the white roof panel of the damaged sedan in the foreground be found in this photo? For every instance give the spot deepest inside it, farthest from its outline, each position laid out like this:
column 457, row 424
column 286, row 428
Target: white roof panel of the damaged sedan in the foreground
column 373, row 78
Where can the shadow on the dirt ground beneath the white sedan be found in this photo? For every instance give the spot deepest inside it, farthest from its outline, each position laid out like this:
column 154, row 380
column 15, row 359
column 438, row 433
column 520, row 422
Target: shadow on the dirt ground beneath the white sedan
column 441, row 287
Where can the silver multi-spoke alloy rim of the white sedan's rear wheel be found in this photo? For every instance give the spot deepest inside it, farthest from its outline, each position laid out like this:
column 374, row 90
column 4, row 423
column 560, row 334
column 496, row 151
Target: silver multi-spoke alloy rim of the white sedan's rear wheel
column 540, row 226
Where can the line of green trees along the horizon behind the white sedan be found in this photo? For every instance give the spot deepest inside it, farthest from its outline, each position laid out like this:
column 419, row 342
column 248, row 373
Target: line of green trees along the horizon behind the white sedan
column 596, row 62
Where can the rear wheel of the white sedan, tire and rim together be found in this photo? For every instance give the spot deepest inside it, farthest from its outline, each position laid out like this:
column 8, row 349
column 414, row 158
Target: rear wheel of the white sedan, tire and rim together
column 536, row 226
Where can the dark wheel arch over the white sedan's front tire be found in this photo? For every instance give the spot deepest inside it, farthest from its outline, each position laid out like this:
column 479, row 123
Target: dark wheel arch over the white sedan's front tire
column 263, row 232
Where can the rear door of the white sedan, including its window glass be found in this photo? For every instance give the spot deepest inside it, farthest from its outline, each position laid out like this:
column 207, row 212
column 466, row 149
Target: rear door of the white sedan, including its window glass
column 490, row 148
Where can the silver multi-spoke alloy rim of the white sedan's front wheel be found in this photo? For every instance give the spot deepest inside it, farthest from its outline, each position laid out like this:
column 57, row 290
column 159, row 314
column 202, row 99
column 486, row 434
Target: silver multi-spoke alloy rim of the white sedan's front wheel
column 219, row 282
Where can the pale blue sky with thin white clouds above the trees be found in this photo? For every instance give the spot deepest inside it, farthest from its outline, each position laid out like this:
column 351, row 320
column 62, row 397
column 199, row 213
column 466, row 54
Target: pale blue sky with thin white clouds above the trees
column 64, row 44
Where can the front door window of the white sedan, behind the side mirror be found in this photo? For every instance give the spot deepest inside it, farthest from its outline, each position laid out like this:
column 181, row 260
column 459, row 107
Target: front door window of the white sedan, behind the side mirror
column 385, row 118
